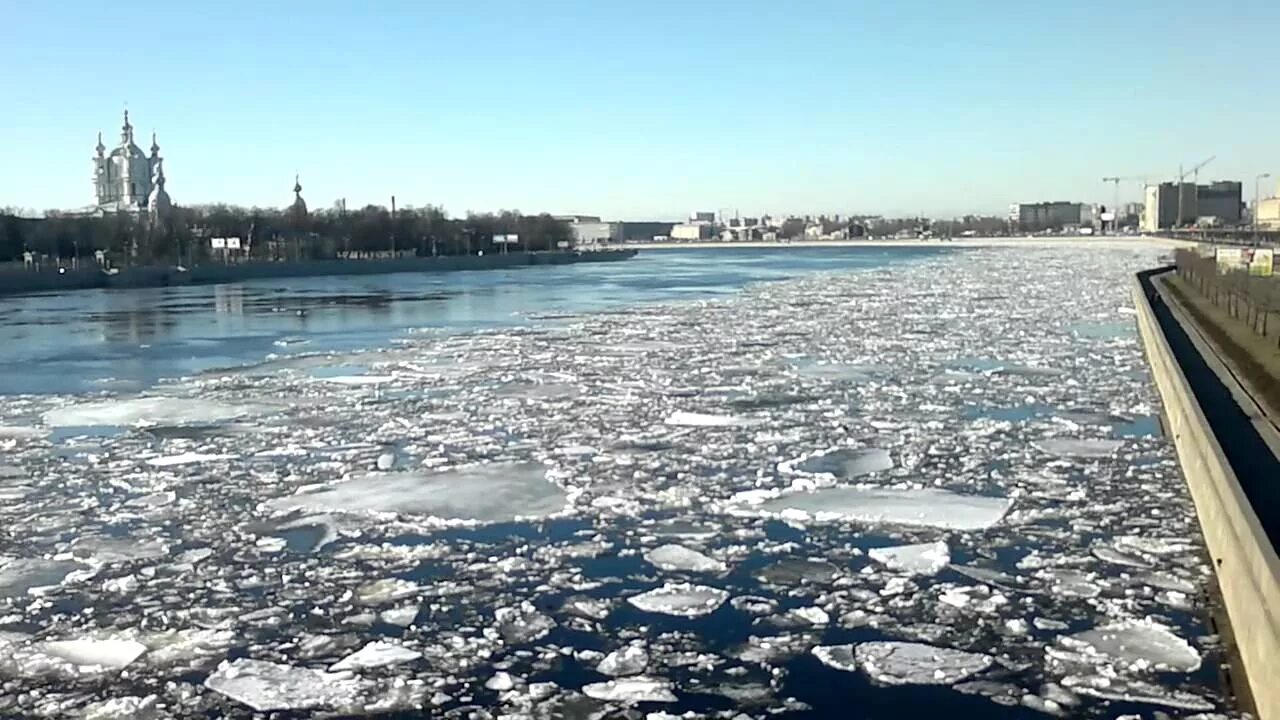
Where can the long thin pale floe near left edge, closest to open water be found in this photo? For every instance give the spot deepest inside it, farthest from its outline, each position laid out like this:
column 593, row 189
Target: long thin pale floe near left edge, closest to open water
column 148, row 412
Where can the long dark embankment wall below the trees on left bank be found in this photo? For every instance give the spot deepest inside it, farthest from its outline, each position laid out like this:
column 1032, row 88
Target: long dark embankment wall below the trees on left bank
column 25, row 282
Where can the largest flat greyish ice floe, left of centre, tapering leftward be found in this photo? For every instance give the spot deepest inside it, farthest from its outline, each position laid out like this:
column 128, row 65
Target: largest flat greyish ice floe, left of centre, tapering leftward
column 484, row 494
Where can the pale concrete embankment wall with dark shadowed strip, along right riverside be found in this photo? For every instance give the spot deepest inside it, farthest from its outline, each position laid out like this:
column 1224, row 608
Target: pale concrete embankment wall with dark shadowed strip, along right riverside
column 1235, row 481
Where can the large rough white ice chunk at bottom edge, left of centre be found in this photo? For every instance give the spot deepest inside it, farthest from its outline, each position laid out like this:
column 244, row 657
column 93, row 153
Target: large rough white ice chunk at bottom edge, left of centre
column 271, row 686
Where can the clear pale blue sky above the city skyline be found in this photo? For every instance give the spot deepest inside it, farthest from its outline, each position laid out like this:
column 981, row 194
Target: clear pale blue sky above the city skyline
column 638, row 111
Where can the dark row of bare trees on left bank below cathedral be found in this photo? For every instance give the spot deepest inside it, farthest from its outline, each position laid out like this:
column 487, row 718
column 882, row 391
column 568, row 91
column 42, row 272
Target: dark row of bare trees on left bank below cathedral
column 185, row 236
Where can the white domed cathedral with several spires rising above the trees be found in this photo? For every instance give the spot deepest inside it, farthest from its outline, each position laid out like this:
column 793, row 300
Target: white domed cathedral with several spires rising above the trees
column 129, row 181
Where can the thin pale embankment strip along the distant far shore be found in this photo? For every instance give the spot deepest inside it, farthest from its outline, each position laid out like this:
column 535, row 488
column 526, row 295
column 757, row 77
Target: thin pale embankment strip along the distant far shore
column 1099, row 241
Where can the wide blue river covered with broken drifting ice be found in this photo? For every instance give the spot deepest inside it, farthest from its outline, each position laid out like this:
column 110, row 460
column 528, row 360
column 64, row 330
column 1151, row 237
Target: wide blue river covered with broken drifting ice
column 749, row 484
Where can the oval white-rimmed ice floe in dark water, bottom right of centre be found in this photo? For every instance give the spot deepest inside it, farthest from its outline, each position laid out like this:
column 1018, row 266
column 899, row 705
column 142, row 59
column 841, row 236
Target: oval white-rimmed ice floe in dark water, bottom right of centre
column 906, row 664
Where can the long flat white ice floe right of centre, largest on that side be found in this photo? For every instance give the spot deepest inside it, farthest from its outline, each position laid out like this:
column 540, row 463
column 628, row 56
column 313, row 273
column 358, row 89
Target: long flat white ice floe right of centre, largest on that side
column 927, row 508
